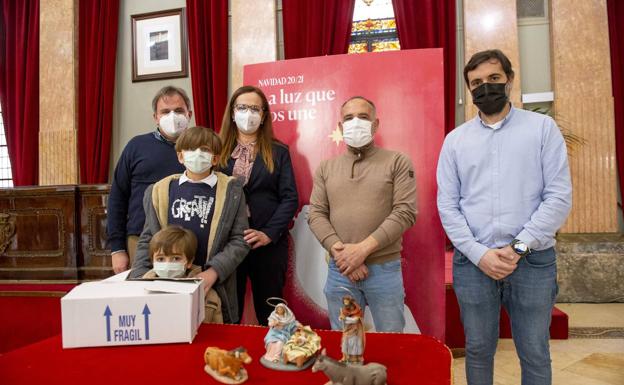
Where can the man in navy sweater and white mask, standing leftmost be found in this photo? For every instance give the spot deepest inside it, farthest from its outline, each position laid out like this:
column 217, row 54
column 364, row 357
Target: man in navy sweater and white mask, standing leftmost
column 146, row 159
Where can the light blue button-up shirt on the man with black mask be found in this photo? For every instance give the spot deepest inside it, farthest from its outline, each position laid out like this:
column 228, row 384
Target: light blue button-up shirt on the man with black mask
column 495, row 185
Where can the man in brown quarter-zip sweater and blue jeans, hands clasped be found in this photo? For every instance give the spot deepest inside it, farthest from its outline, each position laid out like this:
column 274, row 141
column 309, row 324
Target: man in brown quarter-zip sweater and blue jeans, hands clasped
column 361, row 204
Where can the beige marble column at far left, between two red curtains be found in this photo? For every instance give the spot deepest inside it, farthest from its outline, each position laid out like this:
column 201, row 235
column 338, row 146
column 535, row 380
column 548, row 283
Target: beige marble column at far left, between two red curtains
column 58, row 77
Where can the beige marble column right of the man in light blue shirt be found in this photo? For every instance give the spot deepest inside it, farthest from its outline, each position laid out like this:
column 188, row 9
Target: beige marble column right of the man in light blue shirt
column 583, row 105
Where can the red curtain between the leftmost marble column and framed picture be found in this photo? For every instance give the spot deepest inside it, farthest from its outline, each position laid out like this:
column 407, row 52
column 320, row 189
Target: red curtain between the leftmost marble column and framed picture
column 97, row 46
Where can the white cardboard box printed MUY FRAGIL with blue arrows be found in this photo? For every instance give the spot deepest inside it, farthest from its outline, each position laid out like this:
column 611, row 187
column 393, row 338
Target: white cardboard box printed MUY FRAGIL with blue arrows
column 117, row 312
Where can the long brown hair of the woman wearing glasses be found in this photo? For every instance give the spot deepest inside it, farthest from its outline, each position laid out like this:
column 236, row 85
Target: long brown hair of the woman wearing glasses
column 229, row 131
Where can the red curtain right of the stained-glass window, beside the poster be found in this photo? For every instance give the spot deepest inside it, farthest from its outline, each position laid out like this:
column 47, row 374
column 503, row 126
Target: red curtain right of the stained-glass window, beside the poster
column 431, row 24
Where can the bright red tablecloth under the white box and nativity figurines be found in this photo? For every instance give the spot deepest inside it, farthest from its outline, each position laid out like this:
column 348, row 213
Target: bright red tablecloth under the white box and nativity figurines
column 410, row 359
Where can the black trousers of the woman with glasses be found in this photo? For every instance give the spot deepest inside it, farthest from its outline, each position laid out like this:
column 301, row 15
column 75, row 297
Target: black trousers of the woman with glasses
column 266, row 269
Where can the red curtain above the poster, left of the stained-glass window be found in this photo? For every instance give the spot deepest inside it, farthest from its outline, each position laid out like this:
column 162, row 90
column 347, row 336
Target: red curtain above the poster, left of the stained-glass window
column 316, row 27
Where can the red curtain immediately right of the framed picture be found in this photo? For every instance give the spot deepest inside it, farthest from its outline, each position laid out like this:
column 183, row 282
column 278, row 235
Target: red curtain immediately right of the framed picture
column 208, row 49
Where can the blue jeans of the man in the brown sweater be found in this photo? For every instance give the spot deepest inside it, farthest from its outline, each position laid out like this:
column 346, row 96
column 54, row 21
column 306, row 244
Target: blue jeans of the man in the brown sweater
column 382, row 291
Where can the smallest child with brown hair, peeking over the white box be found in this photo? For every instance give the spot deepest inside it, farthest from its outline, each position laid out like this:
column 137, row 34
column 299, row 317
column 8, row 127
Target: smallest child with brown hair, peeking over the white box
column 172, row 251
